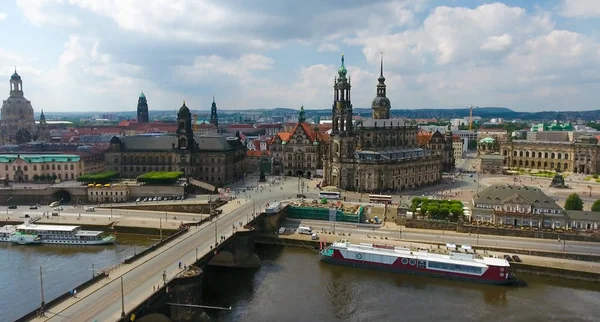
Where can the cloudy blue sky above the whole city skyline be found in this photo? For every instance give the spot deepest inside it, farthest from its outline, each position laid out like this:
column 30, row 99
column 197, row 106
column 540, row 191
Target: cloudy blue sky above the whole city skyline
column 90, row 55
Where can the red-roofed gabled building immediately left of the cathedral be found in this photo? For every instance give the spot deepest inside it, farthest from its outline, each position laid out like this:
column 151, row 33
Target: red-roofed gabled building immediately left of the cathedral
column 300, row 151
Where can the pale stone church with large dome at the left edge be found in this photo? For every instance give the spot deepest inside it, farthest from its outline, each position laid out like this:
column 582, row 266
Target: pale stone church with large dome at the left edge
column 17, row 124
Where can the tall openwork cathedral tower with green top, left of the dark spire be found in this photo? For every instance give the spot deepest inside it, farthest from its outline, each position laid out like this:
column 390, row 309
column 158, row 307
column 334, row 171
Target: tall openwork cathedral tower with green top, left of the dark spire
column 342, row 106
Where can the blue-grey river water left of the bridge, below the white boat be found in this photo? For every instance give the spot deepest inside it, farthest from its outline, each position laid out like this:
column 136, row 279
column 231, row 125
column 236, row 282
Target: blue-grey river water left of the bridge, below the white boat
column 63, row 267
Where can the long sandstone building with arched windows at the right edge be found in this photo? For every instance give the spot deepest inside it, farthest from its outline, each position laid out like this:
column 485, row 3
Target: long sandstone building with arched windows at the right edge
column 581, row 155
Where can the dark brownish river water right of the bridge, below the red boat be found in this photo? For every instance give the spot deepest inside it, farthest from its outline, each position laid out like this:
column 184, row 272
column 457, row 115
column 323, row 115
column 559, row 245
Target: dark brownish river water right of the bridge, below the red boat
column 293, row 285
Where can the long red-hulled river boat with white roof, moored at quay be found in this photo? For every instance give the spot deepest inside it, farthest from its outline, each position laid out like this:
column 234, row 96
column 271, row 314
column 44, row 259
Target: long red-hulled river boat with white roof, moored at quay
column 451, row 265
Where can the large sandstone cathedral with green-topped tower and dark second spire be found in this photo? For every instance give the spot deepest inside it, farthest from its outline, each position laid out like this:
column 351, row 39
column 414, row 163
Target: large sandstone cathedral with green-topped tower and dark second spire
column 378, row 154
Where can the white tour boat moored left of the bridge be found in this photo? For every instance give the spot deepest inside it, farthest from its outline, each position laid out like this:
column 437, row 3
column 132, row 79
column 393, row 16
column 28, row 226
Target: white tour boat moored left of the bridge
column 28, row 233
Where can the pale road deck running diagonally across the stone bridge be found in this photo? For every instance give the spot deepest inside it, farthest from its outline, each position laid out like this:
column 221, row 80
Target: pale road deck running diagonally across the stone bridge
column 102, row 301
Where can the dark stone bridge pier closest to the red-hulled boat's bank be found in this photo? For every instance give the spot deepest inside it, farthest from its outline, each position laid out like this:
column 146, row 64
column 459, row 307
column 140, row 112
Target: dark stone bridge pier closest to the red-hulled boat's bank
column 238, row 252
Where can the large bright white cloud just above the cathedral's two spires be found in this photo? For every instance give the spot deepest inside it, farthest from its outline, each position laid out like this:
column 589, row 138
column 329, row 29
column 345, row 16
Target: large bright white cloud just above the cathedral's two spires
column 455, row 35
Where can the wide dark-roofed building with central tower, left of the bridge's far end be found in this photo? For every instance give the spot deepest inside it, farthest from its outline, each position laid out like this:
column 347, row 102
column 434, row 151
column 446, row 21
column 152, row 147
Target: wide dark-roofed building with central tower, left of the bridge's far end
column 217, row 160
